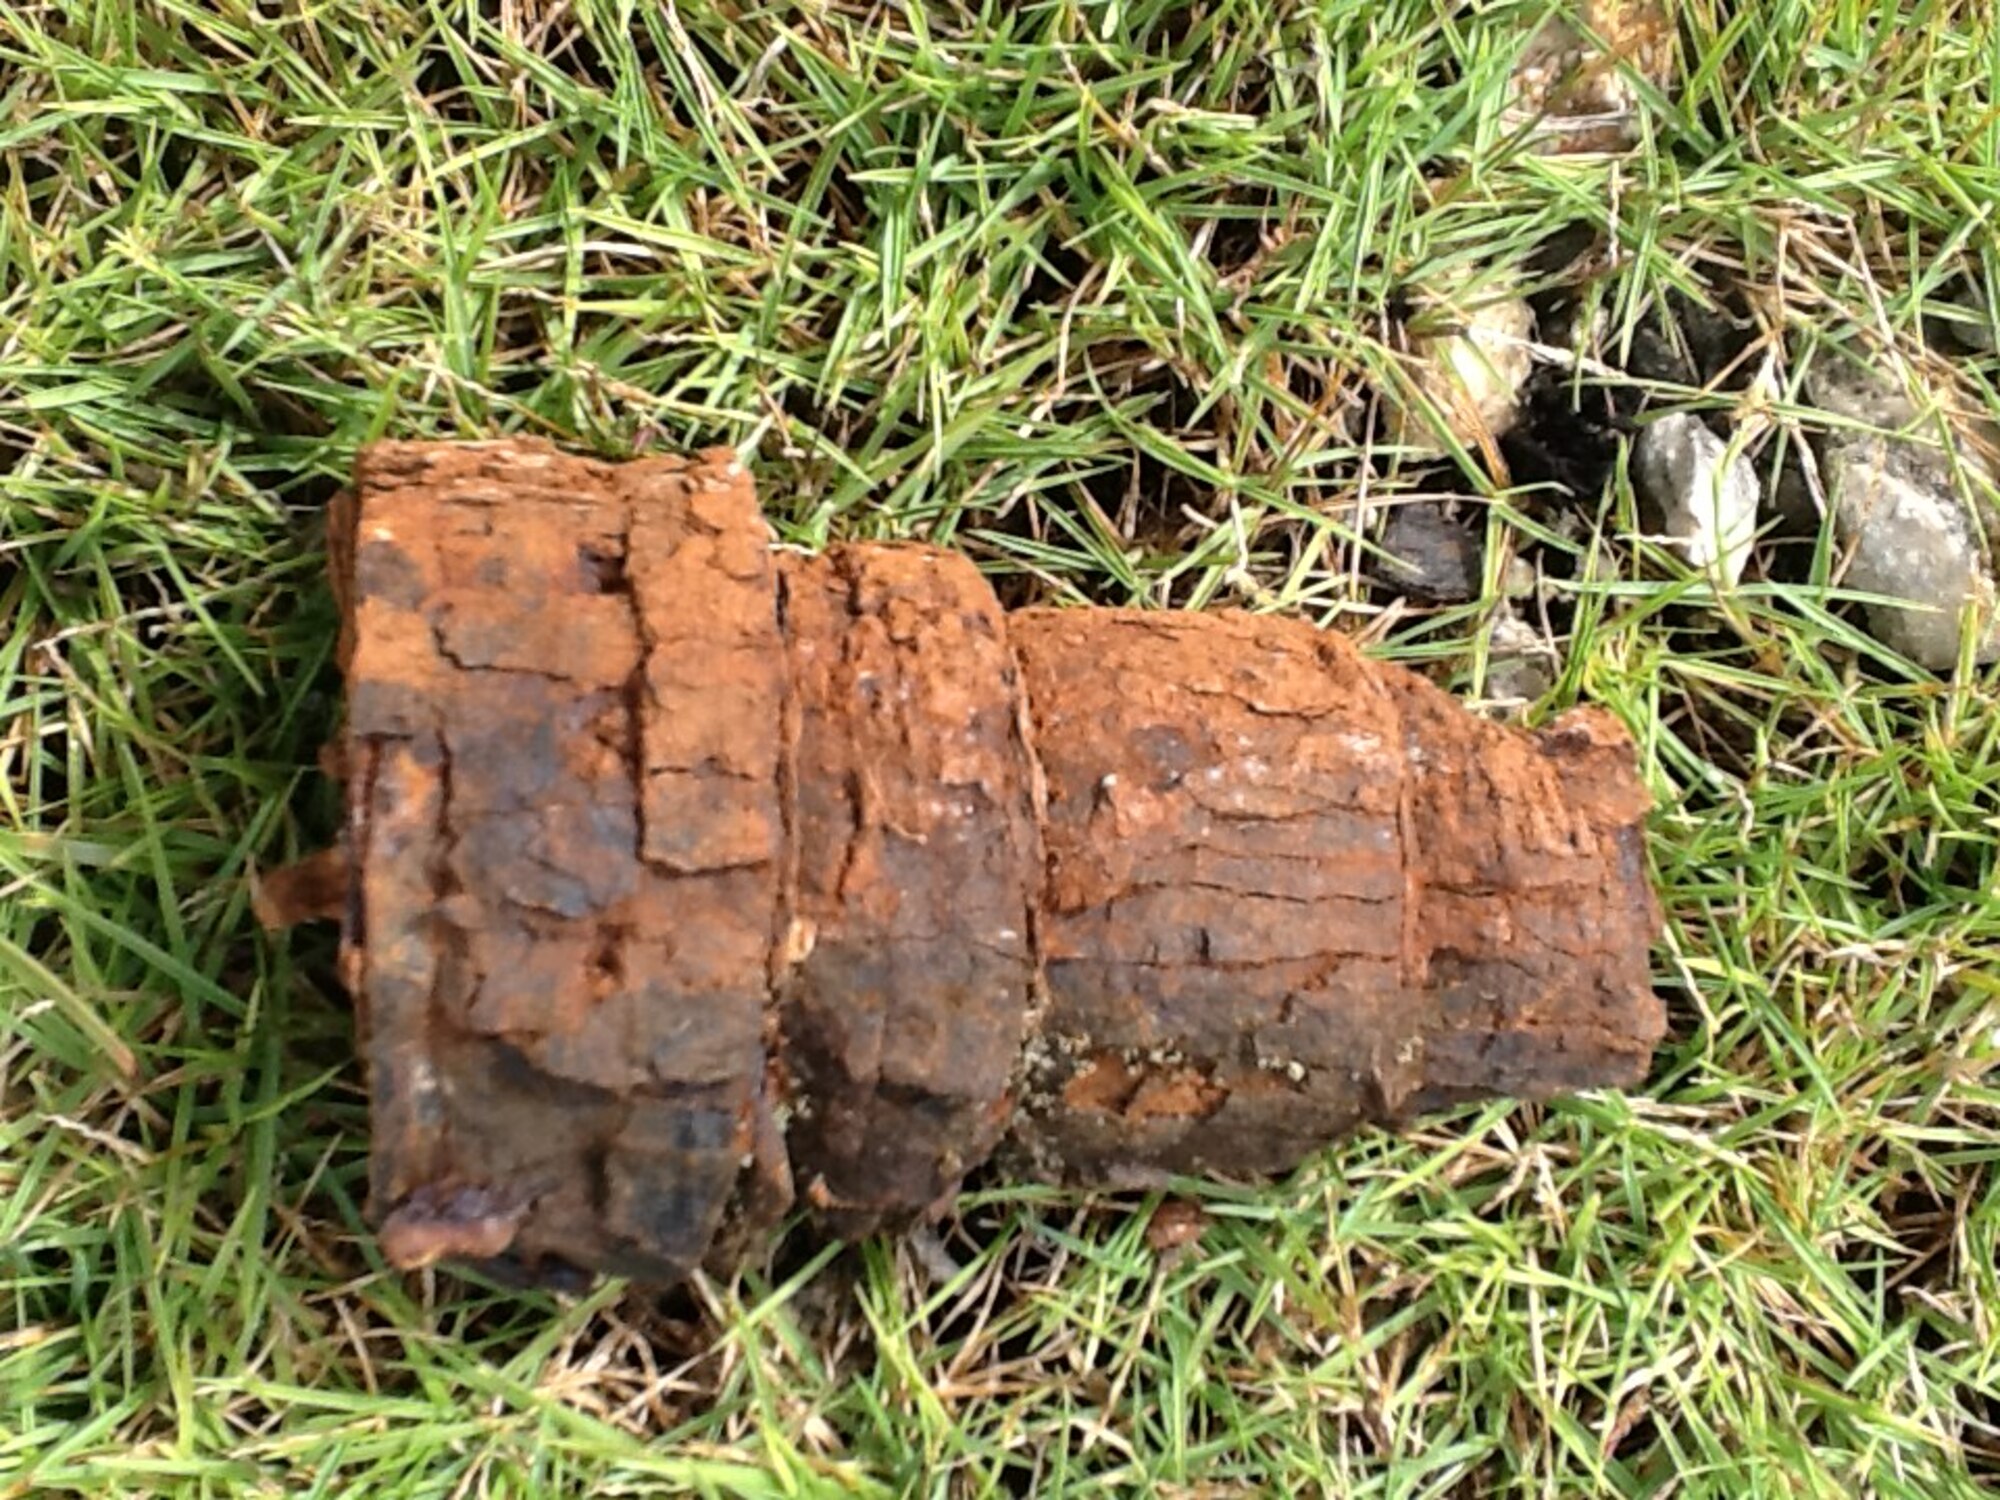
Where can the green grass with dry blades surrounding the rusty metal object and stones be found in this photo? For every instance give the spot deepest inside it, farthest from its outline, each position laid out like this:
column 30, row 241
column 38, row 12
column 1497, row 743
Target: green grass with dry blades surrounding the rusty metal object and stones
column 1097, row 293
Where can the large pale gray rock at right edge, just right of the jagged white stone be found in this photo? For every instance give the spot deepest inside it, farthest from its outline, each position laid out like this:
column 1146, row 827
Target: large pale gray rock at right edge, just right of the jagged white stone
column 1911, row 537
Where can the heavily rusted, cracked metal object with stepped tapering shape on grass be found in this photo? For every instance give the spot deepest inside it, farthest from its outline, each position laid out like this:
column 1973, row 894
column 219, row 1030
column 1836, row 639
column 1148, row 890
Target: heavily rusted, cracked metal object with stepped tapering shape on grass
column 691, row 881
